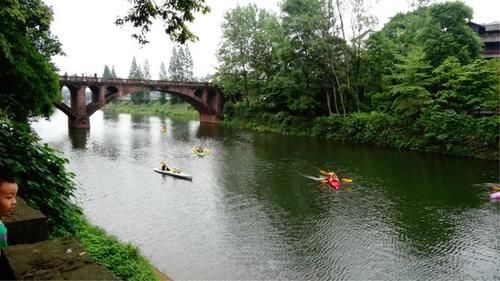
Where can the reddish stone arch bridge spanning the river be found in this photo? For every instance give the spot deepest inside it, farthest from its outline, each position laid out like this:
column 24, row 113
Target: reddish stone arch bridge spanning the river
column 203, row 96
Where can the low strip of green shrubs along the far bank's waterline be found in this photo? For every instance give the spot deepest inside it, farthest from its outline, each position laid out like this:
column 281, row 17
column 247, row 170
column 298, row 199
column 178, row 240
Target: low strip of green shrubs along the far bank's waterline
column 445, row 133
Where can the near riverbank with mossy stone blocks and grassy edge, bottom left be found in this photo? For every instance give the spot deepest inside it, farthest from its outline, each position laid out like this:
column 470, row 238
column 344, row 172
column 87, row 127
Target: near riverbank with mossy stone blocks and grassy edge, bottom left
column 91, row 254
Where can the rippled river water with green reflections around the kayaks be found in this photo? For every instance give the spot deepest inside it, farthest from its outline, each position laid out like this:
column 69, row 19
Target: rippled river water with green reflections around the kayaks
column 250, row 213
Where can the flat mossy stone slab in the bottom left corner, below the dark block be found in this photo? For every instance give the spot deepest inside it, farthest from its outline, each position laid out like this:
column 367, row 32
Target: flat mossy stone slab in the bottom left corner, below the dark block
column 56, row 259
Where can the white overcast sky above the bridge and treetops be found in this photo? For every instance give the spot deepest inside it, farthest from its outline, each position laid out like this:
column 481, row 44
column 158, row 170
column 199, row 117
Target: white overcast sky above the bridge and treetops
column 91, row 40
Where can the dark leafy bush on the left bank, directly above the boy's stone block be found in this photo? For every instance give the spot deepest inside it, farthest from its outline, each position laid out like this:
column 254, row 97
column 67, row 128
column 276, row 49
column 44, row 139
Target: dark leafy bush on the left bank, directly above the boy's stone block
column 43, row 179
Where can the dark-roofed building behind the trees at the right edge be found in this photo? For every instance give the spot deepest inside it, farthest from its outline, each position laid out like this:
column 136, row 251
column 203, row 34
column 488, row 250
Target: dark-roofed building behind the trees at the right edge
column 490, row 36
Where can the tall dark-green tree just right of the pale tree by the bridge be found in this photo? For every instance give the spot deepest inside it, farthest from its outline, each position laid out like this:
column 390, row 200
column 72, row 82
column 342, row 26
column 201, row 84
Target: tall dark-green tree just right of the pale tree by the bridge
column 304, row 54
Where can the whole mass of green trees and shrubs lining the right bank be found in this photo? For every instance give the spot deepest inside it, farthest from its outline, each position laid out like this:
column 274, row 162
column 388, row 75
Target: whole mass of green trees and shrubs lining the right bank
column 419, row 81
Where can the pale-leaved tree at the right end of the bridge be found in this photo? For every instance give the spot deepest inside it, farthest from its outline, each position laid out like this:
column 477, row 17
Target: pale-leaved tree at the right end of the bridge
column 247, row 55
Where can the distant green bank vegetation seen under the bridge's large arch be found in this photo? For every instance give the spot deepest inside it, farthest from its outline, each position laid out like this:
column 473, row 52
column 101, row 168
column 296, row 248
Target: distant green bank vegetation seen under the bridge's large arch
column 178, row 110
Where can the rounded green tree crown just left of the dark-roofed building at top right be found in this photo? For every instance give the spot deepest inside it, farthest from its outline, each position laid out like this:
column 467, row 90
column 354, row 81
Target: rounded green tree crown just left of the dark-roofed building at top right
column 441, row 30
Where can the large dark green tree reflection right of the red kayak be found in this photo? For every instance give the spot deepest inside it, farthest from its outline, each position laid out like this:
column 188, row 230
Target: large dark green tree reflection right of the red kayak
column 423, row 193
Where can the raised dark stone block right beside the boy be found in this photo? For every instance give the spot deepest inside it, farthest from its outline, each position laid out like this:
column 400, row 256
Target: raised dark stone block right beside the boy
column 25, row 224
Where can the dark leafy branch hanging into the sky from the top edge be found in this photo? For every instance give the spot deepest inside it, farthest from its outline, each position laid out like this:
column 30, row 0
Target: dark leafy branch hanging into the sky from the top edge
column 174, row 13
